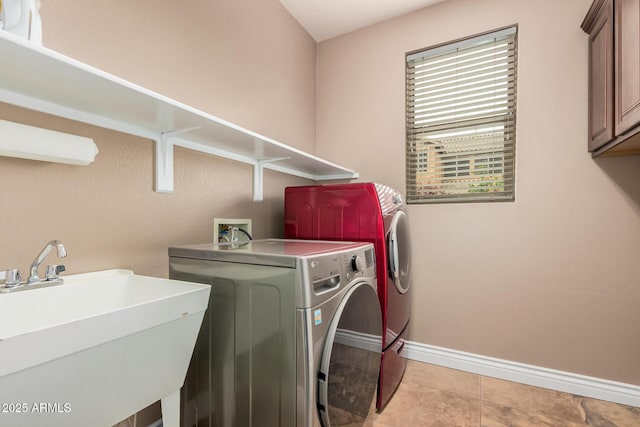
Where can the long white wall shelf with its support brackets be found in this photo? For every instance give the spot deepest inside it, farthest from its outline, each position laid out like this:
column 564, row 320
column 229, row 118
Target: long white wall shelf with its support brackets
column 41, row 79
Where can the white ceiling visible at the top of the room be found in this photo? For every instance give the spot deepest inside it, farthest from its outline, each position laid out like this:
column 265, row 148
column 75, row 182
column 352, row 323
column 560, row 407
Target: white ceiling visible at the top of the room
column 324, row 19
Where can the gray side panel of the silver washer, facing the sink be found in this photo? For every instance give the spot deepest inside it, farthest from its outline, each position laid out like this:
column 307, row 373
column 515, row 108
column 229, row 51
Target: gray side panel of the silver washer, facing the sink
column 243, row 371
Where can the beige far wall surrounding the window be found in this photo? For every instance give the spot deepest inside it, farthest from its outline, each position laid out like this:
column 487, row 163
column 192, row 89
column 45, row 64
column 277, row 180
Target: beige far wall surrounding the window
column 551, row 280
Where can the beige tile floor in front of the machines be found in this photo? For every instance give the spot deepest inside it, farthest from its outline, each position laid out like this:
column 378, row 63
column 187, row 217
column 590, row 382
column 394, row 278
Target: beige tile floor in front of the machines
column 432, row 396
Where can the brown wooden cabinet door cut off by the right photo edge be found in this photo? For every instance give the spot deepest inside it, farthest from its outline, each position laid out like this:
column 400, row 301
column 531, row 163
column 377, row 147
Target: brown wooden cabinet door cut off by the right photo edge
column 627, row 57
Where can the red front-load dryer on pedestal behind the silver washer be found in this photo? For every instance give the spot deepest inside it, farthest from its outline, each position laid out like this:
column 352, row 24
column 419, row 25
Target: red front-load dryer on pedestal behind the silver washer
column 373, row 213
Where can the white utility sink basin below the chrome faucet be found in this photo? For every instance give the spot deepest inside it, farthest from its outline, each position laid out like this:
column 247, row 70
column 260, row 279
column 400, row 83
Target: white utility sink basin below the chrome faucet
column 96, row 349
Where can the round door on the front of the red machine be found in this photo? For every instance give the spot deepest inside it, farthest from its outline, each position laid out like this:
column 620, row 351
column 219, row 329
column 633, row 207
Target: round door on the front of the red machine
column 399, row 252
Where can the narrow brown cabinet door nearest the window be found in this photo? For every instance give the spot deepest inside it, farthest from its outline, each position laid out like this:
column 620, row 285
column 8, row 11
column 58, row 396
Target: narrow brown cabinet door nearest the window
column 601, row 78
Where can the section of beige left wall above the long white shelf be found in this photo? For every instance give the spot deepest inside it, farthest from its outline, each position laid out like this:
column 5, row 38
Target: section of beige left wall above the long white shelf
column 249, row 63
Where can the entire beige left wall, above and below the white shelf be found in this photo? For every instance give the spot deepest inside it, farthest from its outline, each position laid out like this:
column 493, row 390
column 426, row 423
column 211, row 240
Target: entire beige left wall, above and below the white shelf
column 254, row 66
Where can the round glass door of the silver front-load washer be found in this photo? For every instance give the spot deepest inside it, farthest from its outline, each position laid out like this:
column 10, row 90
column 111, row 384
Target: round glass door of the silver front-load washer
column 350, row 364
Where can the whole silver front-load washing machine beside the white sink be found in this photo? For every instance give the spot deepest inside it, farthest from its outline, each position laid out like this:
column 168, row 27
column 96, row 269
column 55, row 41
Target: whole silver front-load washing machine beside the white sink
column 292, row 335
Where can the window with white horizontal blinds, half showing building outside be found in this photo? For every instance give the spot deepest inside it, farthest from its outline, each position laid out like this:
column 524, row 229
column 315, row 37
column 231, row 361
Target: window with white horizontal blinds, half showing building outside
column 460, row 177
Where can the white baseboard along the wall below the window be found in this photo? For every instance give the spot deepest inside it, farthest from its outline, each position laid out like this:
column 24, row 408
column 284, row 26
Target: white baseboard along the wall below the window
column 567, row 382
